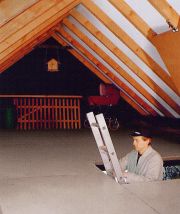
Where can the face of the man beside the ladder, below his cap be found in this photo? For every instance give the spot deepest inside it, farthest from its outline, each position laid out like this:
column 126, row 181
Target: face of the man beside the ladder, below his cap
column 140, row 144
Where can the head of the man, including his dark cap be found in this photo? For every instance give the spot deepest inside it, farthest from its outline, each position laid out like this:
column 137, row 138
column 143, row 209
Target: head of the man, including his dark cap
column 141, row 140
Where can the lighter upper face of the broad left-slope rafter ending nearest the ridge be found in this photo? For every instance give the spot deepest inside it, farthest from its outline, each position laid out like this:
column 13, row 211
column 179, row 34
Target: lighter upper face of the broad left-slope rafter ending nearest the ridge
column 64, row 5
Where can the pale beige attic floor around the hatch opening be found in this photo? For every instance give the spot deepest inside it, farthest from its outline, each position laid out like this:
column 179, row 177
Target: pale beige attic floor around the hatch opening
column 53, row 172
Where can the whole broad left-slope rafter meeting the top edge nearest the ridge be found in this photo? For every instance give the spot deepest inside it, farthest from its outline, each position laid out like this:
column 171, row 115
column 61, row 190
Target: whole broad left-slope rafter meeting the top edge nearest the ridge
column 36, row 27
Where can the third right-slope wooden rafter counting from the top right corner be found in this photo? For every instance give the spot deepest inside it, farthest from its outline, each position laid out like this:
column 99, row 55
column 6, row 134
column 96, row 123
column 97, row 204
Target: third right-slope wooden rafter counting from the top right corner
column 130, row 43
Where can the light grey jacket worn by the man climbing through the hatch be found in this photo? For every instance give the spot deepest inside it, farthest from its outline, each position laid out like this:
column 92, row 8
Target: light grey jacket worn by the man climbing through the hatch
column 149, row 167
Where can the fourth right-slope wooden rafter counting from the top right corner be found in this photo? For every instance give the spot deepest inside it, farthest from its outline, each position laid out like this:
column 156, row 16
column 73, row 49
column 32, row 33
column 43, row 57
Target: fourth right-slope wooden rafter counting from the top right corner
column 140, row 73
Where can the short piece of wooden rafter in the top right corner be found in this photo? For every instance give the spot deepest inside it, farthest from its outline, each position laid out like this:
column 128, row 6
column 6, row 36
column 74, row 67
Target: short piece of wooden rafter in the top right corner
column 166, row 11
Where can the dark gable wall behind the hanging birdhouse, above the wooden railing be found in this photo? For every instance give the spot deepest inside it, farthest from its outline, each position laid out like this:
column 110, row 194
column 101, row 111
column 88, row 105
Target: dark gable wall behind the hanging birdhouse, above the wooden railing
column 30, row 75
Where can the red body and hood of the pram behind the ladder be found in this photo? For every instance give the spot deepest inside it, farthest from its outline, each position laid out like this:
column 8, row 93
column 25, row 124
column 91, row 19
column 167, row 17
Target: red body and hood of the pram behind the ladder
column 109, row 95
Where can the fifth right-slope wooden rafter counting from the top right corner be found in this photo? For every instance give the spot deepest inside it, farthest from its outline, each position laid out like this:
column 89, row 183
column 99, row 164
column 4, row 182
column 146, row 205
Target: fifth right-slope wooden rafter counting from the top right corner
column 116, row 67
